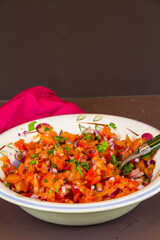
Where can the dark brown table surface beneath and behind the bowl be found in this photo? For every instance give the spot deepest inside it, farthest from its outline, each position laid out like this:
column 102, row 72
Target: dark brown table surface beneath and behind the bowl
column 143, row 222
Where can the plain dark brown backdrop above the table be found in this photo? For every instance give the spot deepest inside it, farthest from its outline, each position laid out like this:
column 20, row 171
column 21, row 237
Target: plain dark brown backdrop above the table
column 80, row 48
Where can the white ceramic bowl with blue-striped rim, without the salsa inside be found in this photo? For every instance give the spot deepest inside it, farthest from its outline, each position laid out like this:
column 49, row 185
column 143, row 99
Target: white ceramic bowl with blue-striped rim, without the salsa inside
column 80, row 214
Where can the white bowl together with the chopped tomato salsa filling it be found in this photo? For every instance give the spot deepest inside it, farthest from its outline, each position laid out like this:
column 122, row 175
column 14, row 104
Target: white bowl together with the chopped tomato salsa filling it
column 69, row 166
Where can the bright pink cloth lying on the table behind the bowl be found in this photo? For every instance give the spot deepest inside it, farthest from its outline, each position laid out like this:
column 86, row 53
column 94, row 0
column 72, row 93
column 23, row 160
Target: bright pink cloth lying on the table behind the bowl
column 33, row 103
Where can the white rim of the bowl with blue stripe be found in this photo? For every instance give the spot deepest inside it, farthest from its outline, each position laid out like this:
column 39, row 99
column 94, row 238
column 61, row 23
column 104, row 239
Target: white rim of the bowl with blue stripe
column 130, row 199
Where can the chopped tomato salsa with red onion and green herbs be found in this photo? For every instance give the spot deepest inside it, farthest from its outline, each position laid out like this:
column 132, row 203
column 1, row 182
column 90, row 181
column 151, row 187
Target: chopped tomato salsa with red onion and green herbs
column 76, row 168
